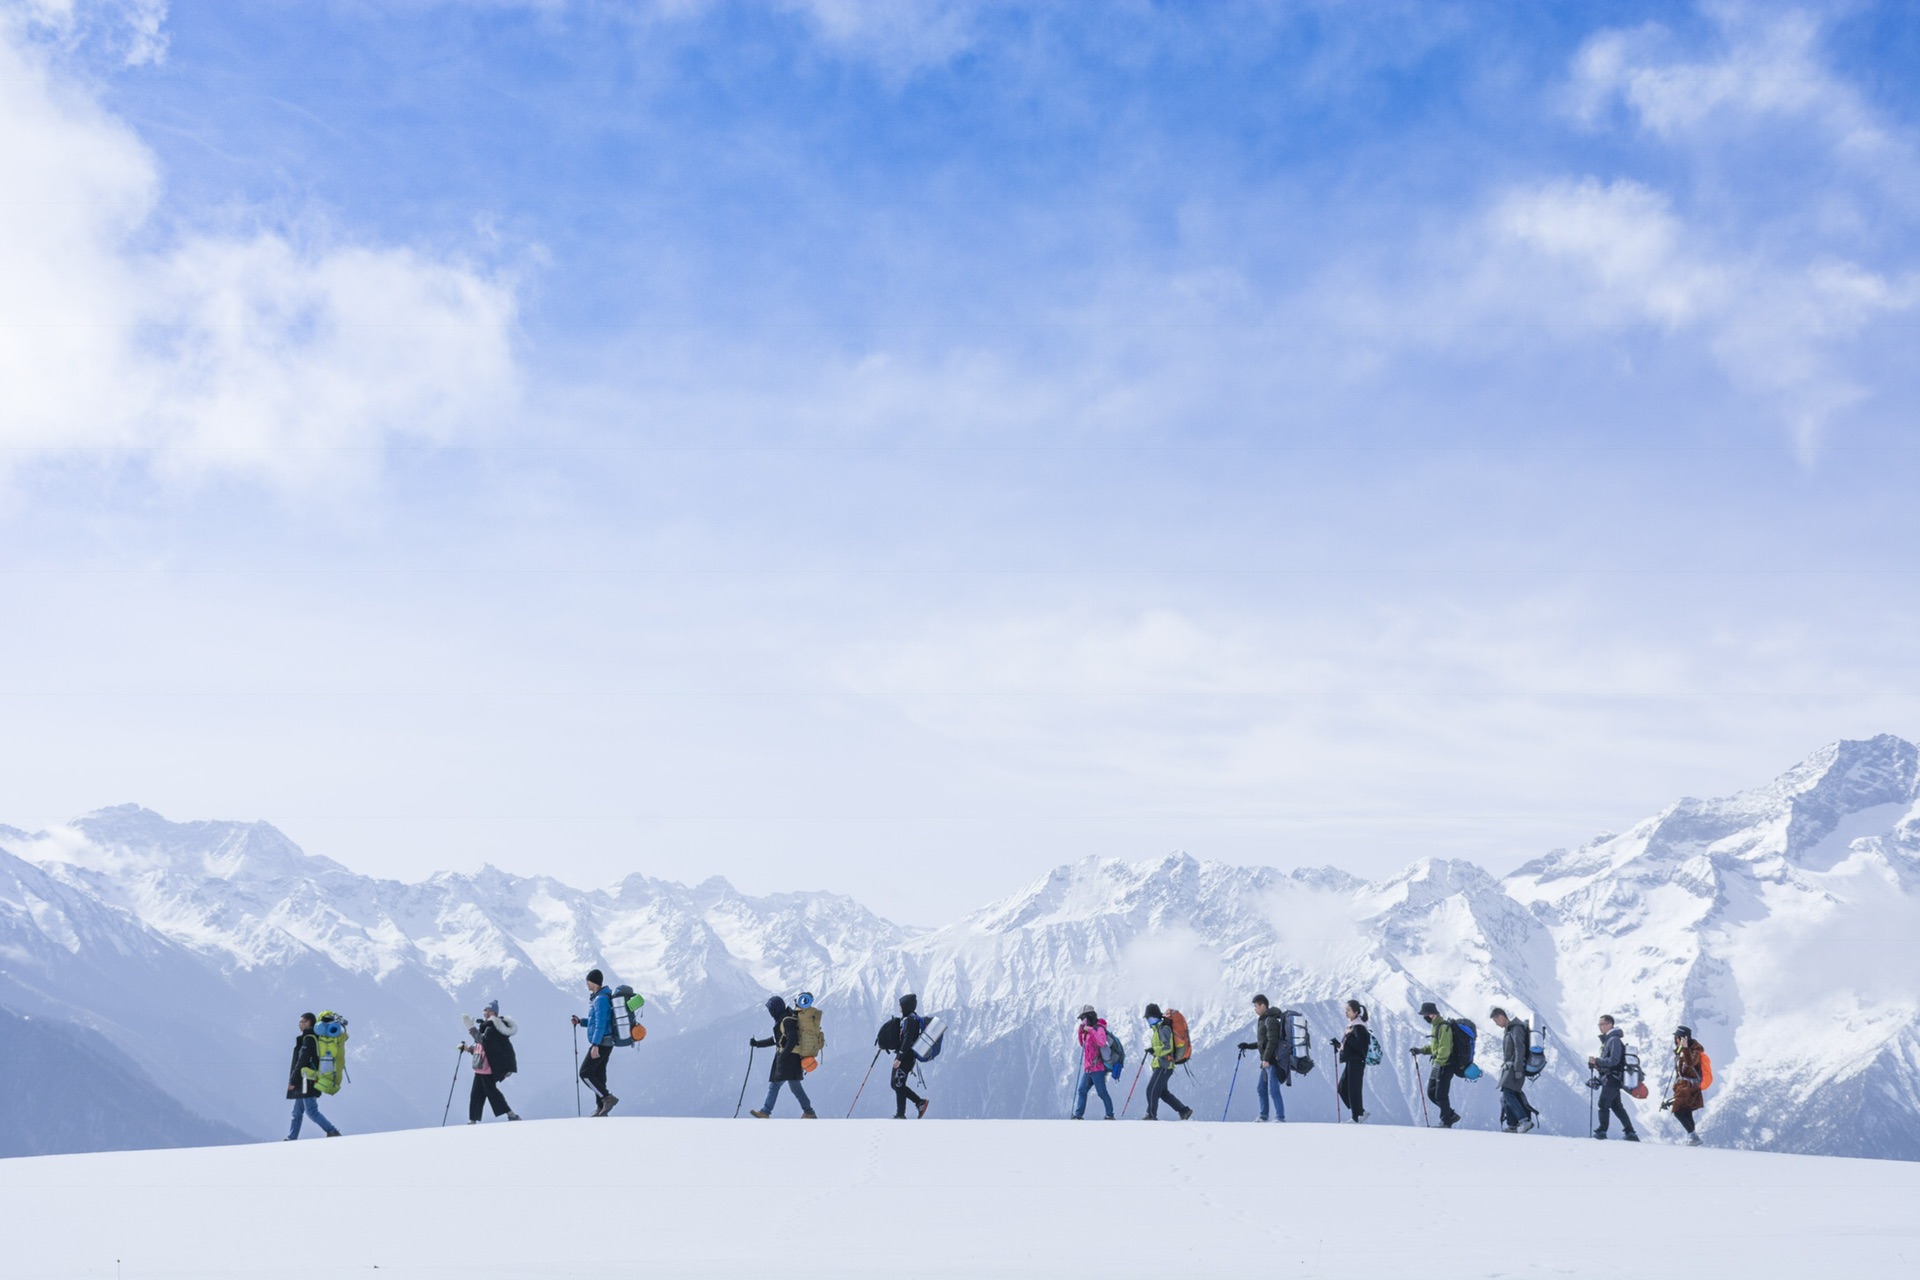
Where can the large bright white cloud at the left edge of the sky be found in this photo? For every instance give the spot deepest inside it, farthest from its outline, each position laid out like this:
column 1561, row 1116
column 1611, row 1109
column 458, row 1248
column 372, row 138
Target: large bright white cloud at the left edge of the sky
column 251, row 354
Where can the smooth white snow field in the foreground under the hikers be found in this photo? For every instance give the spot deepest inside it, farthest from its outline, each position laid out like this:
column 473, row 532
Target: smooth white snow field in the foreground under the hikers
column 694, row 1198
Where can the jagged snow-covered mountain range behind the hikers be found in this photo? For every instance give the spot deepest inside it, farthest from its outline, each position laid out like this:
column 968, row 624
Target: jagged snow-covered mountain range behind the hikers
column 1783, row 924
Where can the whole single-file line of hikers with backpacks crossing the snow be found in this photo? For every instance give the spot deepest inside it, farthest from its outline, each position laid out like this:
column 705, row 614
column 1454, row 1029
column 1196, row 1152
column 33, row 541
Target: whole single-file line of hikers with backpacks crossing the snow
column 1282, row 1049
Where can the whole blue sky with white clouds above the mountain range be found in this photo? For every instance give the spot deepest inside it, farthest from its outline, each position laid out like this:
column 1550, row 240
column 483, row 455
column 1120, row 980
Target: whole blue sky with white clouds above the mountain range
column 903, row 446
